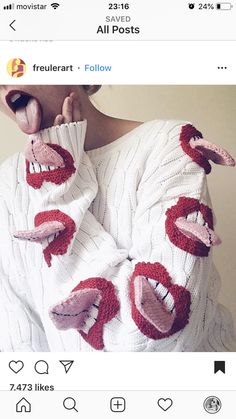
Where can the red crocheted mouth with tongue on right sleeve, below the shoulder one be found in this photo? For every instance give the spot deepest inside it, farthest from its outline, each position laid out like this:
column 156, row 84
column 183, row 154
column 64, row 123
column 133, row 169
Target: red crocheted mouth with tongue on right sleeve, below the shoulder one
column 195, row 237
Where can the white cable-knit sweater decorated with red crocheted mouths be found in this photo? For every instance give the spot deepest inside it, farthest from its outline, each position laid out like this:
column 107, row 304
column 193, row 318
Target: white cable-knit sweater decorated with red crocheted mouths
column 114, row 203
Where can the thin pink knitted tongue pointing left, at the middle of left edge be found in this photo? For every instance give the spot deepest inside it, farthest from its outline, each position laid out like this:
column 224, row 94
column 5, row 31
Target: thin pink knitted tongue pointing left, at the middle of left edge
column 40, row 233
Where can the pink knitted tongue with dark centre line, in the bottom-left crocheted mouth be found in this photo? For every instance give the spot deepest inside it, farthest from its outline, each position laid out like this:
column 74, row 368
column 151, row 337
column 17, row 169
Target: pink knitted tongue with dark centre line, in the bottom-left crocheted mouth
column 73, row 312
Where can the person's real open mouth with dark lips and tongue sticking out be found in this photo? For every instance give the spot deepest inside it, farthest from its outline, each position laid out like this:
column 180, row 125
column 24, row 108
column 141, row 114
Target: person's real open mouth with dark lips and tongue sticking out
column 27, row 110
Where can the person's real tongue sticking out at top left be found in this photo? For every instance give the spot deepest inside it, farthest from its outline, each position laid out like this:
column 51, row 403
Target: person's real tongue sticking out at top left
column 29, row 117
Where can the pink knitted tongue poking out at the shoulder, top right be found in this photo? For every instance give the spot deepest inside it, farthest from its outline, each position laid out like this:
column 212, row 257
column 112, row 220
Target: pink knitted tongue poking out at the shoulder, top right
column 212, row 152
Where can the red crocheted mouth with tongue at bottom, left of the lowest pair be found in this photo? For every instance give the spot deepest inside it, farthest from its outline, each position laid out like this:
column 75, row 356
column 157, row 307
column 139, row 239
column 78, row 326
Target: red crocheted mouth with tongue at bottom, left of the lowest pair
column 90, row 306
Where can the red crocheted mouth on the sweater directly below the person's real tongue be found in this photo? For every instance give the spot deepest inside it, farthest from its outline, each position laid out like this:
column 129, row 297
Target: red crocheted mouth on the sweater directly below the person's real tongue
column 47, row 163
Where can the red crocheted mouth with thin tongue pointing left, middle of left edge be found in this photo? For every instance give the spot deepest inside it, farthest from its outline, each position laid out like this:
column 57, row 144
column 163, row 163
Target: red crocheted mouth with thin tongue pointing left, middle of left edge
column 54, row 230
